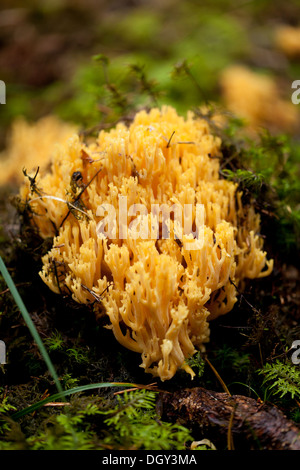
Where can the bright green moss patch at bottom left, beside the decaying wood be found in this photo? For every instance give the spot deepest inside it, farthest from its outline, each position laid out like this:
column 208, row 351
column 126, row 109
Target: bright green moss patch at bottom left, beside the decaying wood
column 85, row 424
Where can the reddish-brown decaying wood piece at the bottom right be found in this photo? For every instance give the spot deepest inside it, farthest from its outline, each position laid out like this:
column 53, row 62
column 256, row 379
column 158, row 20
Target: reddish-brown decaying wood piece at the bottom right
column 222, row 418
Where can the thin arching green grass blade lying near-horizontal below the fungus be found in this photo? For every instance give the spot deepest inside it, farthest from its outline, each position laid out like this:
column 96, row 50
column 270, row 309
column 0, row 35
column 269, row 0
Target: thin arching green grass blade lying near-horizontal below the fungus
column 71, row 391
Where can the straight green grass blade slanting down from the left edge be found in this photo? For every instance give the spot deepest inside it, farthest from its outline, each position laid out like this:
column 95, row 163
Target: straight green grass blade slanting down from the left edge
column 29, row 323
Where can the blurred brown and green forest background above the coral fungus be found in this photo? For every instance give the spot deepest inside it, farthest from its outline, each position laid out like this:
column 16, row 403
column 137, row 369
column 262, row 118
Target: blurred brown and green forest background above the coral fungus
column 158, row 52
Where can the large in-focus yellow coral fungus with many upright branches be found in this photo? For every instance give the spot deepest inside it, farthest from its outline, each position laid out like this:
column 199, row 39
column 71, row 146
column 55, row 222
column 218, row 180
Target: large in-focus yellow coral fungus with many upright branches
column 159, row 292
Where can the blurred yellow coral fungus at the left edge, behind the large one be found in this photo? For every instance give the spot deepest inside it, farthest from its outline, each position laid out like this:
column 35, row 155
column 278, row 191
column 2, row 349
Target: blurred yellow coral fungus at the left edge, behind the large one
column 30, row 145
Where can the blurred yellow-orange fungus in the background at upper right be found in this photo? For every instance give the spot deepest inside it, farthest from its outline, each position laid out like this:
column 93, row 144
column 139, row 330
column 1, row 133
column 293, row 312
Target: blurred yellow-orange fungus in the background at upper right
column 256, row 98
